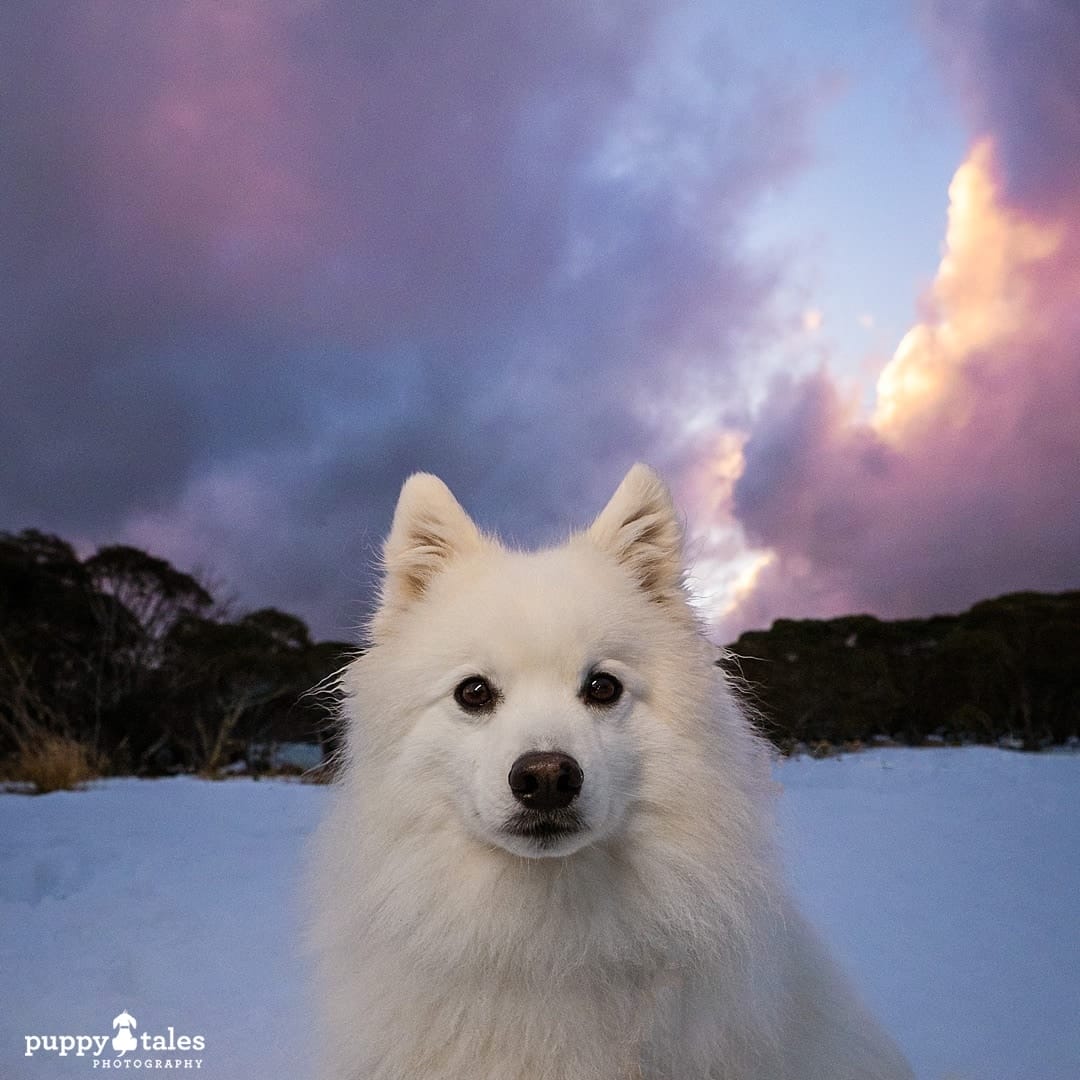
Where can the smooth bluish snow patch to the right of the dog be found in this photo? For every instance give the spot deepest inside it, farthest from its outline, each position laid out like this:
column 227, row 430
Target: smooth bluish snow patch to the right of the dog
column 949, row 882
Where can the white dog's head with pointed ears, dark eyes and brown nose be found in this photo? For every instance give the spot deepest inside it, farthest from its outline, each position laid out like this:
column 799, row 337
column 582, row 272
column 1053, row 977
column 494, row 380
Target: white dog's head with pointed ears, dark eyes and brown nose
column 530, row 698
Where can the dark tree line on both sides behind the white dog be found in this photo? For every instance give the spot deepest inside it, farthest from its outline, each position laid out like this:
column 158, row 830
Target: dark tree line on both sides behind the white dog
column 137, row 664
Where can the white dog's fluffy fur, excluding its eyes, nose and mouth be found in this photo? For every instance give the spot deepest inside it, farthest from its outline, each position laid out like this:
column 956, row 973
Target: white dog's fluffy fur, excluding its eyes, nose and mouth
column 657, row 943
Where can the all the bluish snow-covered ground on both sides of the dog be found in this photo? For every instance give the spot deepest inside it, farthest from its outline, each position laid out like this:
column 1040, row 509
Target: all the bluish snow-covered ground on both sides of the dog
column 948, row 880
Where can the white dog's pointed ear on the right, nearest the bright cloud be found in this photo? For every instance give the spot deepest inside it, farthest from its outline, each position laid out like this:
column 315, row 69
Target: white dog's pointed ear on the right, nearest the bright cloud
column 641, row 529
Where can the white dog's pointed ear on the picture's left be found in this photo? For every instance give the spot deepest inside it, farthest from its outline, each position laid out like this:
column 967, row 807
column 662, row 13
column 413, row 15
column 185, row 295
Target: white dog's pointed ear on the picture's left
column 429, row 530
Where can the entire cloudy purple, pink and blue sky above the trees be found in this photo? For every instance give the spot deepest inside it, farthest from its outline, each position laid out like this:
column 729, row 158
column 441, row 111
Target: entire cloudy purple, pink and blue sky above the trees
column 818, row 264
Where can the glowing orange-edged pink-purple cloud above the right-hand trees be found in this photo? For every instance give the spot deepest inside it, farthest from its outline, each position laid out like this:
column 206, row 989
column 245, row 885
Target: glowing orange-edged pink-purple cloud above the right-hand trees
column 963, row 482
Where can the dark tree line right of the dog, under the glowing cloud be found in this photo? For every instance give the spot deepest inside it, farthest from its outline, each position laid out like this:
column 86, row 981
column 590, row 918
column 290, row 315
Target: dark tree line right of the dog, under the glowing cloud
column 1007, row 671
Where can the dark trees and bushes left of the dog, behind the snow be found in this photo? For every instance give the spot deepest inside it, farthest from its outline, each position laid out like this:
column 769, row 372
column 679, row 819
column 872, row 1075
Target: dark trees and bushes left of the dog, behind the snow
column 138, row 664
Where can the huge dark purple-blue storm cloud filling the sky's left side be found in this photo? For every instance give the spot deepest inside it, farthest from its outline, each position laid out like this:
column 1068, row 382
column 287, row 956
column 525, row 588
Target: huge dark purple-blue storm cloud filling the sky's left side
column 264, row 260
